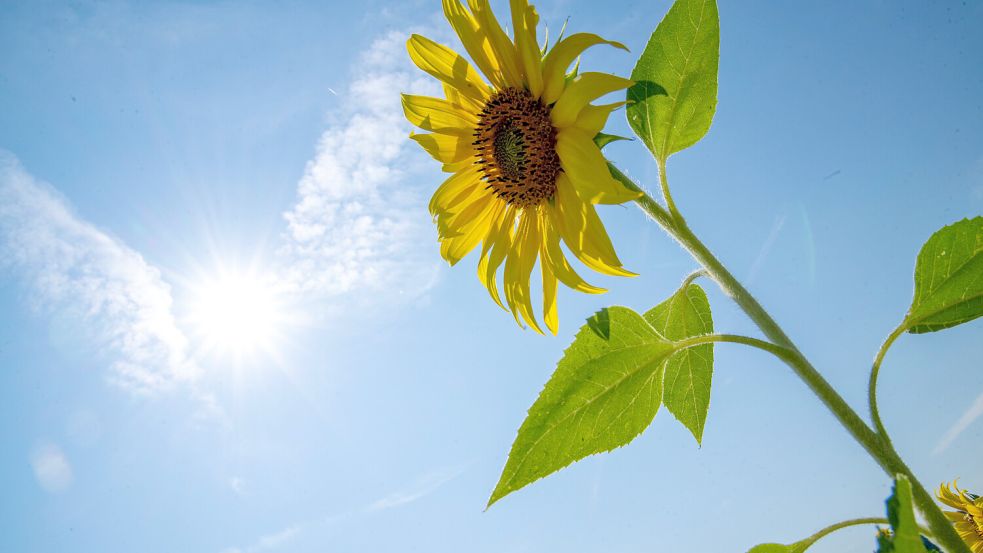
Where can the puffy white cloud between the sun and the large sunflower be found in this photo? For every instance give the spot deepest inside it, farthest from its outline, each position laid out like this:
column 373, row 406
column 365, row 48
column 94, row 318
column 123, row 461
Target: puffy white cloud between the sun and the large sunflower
column 360, row 222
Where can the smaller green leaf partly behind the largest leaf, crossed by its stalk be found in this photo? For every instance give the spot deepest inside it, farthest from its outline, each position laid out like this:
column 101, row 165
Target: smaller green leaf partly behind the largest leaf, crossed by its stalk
column 688, row 373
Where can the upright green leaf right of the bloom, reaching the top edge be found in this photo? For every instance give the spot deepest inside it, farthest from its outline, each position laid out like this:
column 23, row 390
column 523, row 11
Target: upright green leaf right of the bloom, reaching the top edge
column 671, row 104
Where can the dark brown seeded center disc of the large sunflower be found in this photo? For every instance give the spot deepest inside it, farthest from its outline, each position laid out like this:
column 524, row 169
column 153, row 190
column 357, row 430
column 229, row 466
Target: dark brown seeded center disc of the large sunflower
column 516, row 146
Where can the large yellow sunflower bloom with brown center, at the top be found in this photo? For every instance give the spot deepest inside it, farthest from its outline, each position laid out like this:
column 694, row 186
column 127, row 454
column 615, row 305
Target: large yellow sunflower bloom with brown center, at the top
column 526, row 172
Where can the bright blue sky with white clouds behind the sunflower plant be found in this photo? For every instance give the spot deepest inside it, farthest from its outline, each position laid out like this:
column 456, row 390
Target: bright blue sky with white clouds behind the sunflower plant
column 151, row 150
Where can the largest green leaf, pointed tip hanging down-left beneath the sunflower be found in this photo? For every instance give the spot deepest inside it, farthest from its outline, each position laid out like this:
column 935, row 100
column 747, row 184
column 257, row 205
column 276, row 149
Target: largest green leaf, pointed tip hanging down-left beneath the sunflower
column 605, row 391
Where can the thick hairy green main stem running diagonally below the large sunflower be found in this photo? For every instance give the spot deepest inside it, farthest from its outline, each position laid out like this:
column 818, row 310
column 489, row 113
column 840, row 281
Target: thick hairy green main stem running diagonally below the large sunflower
column 870, row 440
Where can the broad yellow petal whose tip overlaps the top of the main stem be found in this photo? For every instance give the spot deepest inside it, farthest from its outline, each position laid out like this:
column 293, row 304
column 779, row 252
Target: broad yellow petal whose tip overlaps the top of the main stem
column 588, row 170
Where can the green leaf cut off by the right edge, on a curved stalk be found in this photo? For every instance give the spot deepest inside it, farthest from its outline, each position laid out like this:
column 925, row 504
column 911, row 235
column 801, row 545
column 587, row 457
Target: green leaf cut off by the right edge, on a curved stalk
column 948, row 278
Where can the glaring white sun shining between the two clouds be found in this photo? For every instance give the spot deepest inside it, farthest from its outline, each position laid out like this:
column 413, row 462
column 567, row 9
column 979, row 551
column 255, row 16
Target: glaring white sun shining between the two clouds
column 237, row 313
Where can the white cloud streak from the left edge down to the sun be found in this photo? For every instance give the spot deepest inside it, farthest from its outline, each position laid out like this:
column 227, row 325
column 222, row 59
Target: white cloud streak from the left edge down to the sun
column 79, row 273
